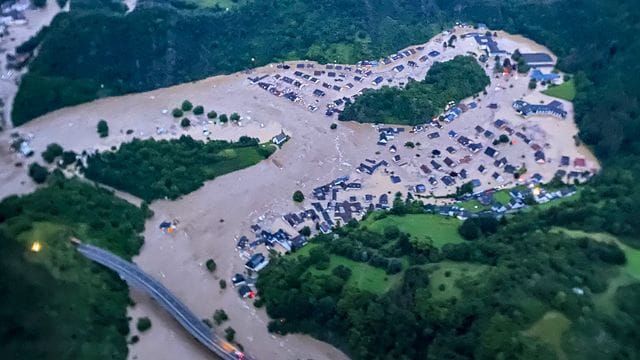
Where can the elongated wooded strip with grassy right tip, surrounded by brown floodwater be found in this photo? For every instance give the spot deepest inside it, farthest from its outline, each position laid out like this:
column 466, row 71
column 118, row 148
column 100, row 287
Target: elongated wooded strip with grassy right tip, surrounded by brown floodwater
column 155, row 169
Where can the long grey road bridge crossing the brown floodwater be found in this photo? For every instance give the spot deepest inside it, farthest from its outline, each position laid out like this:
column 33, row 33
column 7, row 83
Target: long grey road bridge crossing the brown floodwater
column 137, row 278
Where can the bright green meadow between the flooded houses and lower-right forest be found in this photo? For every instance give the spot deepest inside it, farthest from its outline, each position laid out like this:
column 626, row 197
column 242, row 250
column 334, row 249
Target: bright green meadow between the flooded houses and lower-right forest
column 439, row 229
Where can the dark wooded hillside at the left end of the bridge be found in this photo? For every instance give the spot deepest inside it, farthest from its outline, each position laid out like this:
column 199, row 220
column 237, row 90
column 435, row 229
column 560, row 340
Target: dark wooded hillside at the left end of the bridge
column 55, row 303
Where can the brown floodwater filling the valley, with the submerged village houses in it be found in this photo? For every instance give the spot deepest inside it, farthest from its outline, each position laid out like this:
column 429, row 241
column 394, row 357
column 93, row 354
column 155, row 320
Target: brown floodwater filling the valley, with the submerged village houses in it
column 505, row 143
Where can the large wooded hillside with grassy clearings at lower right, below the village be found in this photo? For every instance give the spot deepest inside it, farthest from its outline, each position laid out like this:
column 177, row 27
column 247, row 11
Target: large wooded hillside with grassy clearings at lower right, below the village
column 469, row 300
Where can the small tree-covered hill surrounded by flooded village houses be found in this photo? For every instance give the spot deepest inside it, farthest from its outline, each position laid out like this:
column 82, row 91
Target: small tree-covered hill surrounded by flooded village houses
column 419, row 101
